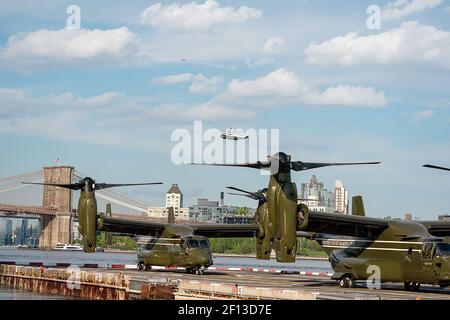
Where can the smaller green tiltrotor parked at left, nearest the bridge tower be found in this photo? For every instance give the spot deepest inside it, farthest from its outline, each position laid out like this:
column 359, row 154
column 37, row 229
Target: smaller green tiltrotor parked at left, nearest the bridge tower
column 160, row 244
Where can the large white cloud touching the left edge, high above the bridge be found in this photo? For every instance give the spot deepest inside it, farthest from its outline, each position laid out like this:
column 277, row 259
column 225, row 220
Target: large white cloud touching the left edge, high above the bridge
column 64, row 46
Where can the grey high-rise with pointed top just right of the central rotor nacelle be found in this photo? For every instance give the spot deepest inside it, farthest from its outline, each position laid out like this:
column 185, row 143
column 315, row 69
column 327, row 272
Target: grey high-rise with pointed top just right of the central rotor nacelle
column 316, row 197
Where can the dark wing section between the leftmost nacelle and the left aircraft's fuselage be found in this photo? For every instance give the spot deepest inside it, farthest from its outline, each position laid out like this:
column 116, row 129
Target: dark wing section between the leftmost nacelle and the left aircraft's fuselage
column 125, row 226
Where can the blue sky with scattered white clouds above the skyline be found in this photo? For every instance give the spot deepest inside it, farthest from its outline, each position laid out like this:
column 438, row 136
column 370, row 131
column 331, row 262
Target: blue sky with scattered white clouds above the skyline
column 106, row 98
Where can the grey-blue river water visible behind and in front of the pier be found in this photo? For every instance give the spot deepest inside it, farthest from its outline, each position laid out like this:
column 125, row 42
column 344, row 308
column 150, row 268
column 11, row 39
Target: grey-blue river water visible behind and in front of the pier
column 24, row 256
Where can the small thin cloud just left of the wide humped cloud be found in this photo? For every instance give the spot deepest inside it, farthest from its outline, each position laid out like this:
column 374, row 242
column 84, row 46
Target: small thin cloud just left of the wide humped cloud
column 199, row 83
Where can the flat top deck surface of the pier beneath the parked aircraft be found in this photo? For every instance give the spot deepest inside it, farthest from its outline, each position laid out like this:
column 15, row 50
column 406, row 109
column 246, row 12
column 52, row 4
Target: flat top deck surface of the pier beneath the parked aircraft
column 320, row 287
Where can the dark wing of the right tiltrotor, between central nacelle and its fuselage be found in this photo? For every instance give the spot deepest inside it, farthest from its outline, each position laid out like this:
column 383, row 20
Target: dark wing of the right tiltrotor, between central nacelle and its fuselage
column 346, row 225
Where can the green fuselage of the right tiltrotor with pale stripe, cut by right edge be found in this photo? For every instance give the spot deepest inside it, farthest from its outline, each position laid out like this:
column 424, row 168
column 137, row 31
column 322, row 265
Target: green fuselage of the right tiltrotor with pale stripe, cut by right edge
column 391, row 257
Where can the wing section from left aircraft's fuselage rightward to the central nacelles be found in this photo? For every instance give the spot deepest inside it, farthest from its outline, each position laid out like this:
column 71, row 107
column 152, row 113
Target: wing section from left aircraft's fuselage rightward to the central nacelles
column 226, row 230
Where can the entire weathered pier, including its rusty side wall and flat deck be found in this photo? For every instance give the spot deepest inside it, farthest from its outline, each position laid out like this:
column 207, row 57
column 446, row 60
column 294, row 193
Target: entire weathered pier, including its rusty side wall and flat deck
column 117, row 284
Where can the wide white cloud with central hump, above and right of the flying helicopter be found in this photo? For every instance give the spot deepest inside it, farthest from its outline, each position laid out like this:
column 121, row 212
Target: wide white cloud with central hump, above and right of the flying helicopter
column 285, row 87
